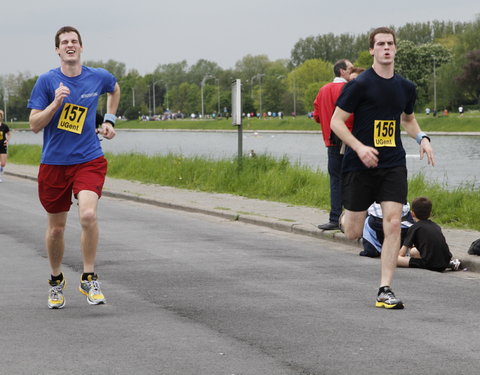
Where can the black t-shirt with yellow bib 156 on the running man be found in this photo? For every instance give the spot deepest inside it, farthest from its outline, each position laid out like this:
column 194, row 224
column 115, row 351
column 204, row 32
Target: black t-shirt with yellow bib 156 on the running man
column 377, row 104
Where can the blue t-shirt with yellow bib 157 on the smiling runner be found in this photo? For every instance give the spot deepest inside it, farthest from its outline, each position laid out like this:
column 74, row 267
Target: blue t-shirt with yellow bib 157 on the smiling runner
column 70, row 136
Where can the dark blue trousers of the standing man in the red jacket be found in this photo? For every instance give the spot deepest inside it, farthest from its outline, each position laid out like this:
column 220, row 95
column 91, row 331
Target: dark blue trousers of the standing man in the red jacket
column 335, row 171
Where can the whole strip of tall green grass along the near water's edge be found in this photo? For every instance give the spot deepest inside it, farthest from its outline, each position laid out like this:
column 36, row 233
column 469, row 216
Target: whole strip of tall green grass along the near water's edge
column 267, row 178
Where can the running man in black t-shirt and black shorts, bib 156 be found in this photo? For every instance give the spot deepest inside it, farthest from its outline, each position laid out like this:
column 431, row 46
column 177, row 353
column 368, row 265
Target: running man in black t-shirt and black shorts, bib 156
column 374, row 166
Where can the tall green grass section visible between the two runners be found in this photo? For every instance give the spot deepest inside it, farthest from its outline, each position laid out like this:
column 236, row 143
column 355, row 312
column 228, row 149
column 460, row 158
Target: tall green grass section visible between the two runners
column 262, row 177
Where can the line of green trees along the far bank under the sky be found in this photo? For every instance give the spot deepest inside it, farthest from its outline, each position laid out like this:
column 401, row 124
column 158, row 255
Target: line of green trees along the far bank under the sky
column 441, row 58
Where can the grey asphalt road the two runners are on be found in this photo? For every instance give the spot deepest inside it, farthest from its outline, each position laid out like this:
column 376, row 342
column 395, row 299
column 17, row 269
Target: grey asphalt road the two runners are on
column 194, row 294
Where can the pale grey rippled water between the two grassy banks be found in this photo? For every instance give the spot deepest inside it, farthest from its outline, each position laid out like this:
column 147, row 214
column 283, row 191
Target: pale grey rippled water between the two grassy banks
column 456, row 156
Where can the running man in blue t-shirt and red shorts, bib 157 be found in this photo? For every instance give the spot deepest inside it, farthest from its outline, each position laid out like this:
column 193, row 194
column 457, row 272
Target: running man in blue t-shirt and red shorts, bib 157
column 63, row 104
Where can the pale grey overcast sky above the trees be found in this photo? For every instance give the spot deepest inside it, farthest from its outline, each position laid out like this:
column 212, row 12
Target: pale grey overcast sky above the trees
column 145, row 33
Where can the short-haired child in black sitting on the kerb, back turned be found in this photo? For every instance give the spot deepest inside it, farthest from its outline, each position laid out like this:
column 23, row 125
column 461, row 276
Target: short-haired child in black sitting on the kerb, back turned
column 425, row 240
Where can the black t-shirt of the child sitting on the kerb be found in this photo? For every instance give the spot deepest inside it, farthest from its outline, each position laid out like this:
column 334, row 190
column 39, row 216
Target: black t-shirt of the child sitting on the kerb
column 428, row 238
